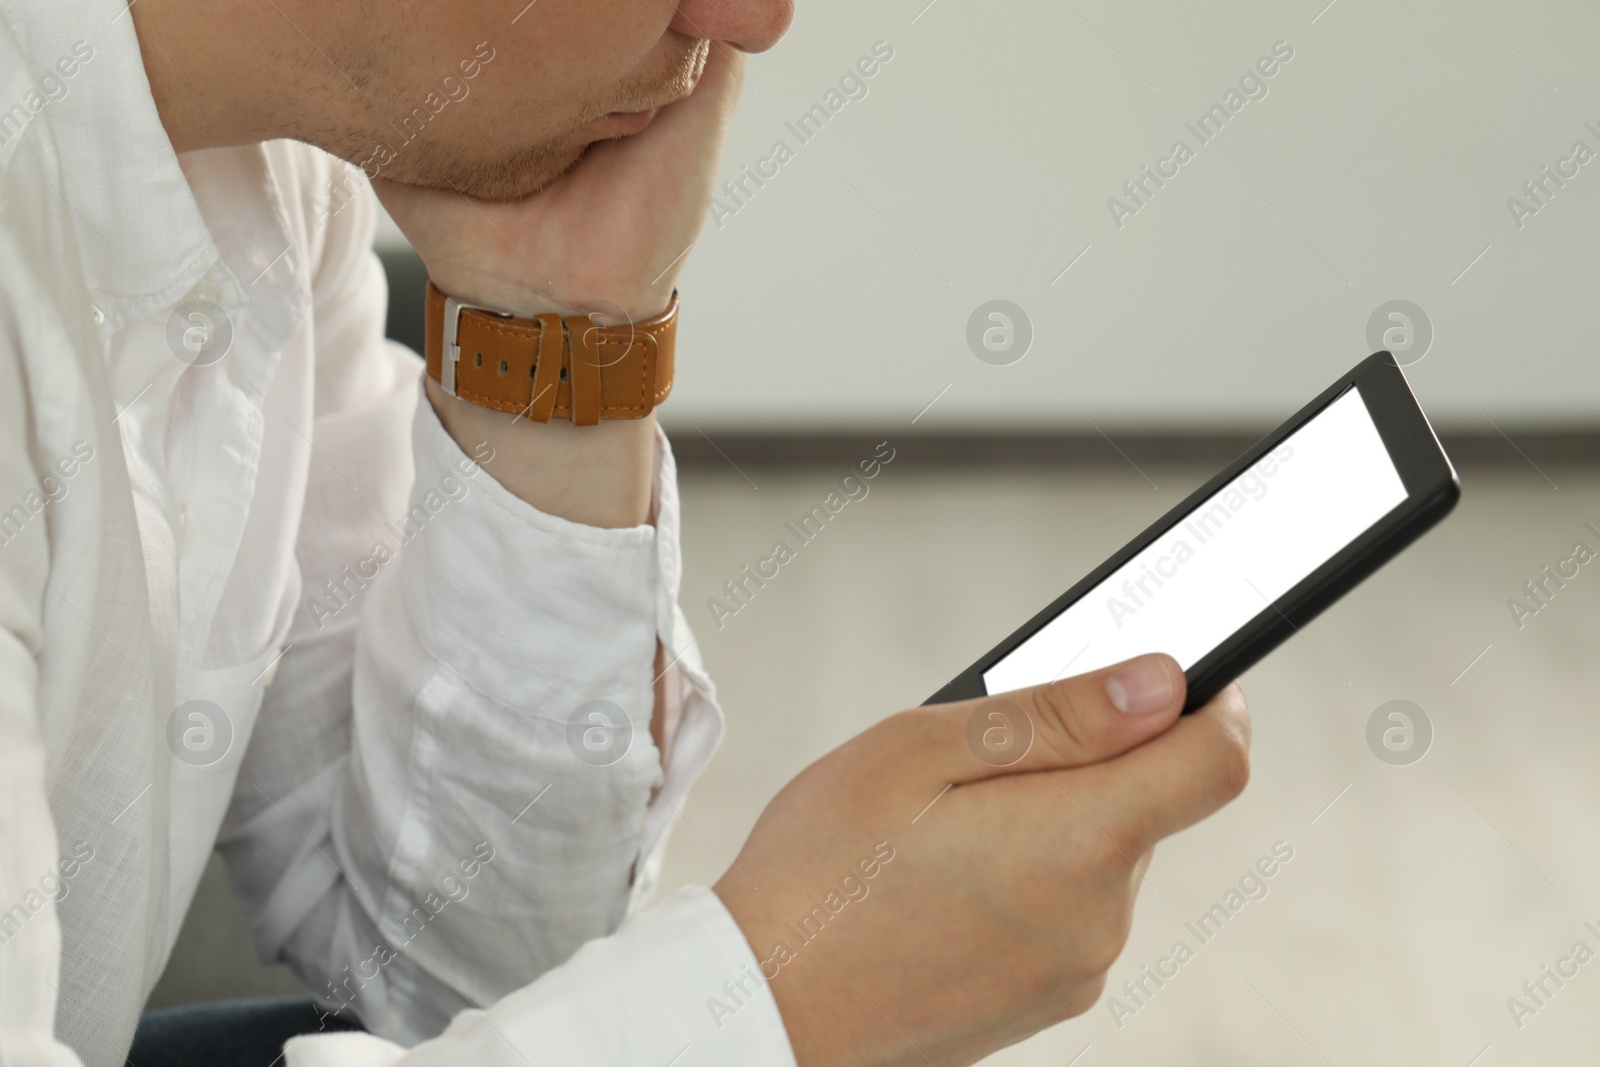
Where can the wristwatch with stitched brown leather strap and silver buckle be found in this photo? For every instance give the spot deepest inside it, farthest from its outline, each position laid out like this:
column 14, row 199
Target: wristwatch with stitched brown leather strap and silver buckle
column 550, row 367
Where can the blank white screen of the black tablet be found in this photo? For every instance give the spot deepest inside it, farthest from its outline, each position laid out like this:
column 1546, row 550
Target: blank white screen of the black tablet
column 1230, row 559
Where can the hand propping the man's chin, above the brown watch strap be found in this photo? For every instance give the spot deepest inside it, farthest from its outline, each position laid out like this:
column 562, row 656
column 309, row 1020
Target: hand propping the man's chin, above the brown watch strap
column 607, row 238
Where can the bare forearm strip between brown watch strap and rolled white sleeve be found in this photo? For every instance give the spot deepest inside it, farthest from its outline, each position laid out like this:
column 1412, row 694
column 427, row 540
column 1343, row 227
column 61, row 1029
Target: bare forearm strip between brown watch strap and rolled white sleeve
column 598, row 476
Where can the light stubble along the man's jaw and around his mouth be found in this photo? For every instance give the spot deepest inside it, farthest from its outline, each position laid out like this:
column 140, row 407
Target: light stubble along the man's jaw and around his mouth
column 492, row 172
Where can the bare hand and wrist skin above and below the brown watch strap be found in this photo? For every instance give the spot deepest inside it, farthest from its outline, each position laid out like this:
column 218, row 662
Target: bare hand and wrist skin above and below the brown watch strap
column 609, row 238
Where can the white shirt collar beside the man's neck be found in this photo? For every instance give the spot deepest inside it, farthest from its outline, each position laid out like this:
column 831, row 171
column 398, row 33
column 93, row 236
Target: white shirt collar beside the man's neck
column 140, row 231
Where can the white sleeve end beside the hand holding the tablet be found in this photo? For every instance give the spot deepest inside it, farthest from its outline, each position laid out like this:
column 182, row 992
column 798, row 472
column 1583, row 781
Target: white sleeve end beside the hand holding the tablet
column 678, row 986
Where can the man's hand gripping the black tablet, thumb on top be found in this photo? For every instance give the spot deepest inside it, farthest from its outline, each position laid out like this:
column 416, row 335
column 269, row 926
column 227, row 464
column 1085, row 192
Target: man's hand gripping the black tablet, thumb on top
column 1009, row 898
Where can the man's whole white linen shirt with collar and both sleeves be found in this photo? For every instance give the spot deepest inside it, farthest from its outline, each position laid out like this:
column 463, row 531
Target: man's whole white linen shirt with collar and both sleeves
column 266, row 604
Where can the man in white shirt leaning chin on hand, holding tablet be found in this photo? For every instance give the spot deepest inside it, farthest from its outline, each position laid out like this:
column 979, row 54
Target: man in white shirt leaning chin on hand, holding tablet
column 383, row 636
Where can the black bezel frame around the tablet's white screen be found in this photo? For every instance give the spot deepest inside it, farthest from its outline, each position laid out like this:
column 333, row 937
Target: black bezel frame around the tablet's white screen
column 1433, row 489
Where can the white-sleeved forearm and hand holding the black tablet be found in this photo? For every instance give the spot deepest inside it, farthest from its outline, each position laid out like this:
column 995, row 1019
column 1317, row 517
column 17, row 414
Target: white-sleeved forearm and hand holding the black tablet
column 906, row 898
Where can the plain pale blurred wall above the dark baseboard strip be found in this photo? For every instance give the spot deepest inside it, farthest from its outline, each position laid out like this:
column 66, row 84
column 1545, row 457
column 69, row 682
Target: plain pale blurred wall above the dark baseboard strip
column 980, row 161
